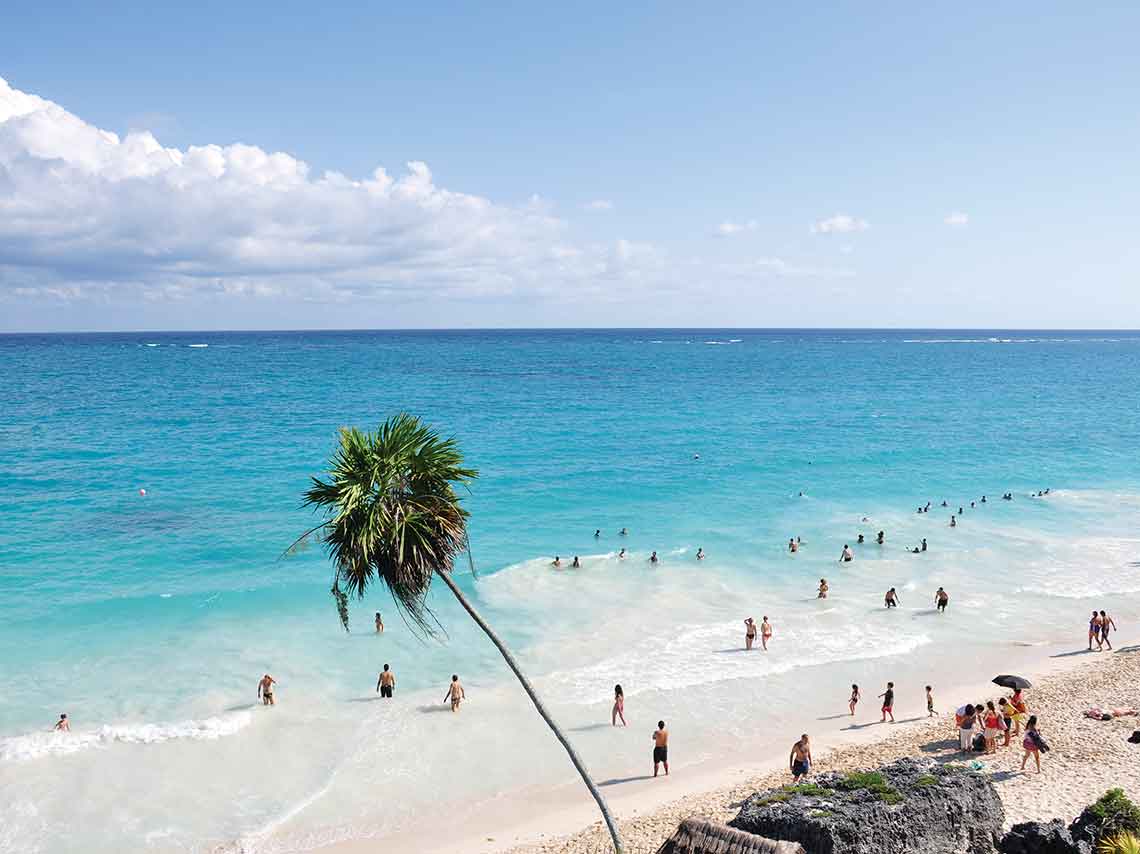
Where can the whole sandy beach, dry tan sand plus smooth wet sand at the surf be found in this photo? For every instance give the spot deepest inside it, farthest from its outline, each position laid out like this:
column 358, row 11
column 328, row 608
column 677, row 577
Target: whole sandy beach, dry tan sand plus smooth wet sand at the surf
column 1066, row 682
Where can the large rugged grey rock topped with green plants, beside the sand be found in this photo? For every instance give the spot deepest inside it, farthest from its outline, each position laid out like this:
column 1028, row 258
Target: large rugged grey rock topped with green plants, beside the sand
column 911, row 807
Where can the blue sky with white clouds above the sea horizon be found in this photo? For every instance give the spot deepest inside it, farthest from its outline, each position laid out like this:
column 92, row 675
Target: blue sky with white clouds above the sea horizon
column 363, row 166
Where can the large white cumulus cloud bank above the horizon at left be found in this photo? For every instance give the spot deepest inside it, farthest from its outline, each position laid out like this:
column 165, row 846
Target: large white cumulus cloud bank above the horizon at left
column 85, row 212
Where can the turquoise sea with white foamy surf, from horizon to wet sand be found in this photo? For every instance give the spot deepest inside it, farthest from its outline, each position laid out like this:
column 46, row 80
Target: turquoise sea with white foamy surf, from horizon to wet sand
column 149, row 620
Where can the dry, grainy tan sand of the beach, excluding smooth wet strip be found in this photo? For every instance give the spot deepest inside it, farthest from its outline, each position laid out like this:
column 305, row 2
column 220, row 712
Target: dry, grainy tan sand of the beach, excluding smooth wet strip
column 1087, row 759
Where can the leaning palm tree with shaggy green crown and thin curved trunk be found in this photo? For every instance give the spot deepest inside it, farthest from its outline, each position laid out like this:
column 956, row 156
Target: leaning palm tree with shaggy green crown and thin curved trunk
column 392, row 515
